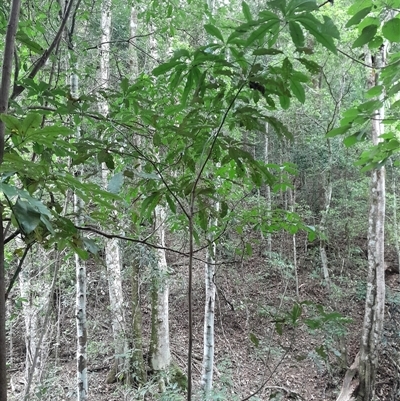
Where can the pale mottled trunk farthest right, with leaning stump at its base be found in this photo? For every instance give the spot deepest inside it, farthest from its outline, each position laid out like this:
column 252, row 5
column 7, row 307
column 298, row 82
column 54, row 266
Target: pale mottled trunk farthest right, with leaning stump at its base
column 375, row 299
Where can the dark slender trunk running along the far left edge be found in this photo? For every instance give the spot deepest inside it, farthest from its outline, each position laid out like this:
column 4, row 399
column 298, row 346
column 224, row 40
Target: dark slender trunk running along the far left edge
column 4, row 94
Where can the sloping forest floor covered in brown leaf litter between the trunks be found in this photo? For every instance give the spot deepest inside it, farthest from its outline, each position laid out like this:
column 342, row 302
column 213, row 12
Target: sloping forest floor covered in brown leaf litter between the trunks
column 265, row 345
